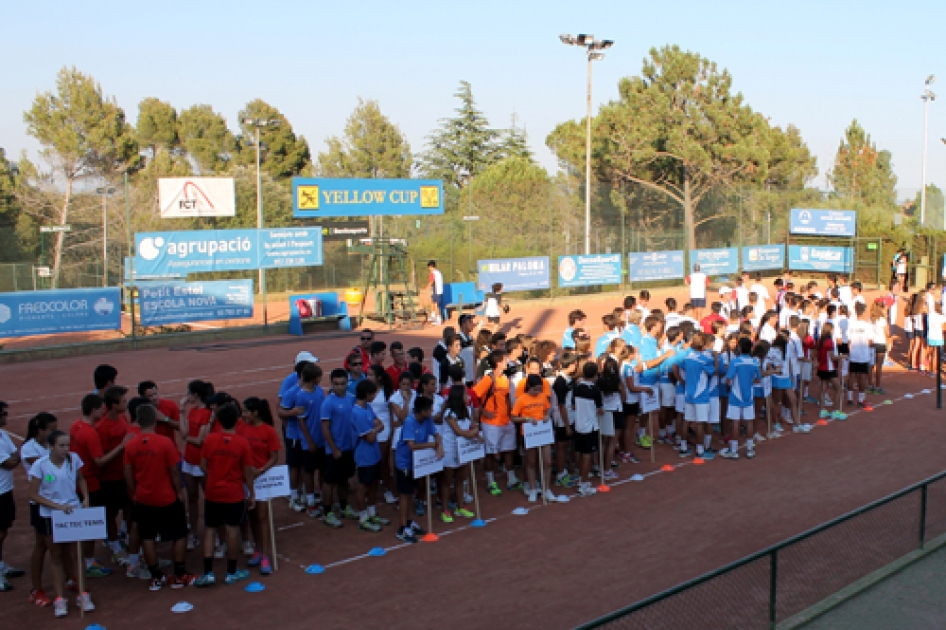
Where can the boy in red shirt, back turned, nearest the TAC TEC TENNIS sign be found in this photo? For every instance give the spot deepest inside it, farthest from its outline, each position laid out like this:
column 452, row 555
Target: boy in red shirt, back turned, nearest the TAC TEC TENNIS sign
column 154, row 482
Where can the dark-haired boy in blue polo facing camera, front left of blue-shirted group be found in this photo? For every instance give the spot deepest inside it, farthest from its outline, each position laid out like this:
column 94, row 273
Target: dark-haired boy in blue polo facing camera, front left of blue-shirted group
column 339, row 437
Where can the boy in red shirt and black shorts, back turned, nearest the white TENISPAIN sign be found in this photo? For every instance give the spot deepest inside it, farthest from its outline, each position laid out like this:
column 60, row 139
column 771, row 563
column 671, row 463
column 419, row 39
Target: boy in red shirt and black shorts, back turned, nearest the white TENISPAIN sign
column 227, row 462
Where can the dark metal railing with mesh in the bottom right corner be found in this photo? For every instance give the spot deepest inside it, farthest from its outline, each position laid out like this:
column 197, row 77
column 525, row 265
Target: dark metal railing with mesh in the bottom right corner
column 772, row 585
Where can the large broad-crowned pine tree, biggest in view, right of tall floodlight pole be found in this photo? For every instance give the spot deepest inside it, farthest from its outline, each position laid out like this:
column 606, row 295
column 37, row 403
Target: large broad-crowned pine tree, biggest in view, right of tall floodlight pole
column 677, row 129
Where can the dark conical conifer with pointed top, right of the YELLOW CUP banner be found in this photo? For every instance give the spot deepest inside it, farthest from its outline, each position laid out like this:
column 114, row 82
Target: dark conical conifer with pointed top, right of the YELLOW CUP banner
column 464, row 144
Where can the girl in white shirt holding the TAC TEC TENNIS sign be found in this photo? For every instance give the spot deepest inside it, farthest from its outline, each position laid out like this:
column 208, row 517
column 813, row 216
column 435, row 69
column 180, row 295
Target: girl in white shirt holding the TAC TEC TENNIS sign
column 53, row 482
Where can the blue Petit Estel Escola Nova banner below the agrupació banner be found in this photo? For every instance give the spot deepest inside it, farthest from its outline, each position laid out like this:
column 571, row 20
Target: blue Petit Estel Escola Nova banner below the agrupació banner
column 176, row 302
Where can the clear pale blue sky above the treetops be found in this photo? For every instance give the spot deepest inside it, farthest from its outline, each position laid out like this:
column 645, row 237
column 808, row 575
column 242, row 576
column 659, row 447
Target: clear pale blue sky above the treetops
column 816, row 65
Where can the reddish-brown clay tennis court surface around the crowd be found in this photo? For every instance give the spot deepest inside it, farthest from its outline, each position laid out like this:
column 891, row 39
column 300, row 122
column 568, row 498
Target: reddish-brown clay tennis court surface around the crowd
column 556, row 567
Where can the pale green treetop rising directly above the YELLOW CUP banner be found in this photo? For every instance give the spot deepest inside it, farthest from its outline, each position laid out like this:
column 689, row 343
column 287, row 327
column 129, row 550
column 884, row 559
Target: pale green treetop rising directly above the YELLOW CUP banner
column 371, row 146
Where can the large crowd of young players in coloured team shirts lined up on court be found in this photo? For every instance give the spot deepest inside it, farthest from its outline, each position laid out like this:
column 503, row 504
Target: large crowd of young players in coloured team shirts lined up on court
column 684, row 376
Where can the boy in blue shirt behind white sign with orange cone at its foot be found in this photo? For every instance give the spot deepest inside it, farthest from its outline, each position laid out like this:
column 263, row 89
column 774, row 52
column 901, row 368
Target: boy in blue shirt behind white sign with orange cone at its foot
column 416, row 432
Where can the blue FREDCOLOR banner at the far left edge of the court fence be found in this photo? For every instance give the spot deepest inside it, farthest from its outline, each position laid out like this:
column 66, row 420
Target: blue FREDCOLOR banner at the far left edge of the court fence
column 28, row 313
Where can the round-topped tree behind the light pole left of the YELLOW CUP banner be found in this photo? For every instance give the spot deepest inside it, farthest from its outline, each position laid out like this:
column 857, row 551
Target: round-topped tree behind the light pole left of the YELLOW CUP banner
column 285, row 154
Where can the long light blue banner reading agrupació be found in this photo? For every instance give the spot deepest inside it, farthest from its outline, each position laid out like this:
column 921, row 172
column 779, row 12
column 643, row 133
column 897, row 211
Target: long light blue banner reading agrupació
column 181, row 253
